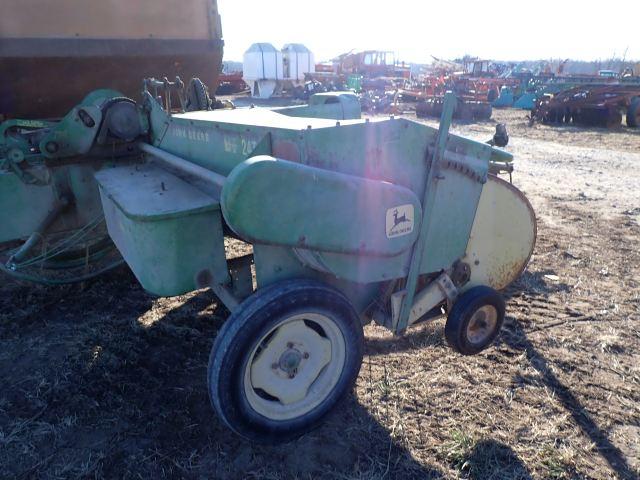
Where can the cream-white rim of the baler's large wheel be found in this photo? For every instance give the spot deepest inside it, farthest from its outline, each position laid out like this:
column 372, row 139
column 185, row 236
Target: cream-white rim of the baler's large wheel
column 293, row 368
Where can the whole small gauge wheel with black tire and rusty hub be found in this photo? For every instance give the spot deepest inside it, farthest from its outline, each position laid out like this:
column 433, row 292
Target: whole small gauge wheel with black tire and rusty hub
column 475, row 320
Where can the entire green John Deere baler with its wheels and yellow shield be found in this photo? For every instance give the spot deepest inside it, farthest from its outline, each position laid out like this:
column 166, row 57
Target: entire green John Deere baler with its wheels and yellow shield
column 350, row 220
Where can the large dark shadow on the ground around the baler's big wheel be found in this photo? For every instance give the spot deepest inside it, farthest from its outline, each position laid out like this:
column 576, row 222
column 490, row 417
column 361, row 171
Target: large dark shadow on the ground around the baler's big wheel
column 99, row 383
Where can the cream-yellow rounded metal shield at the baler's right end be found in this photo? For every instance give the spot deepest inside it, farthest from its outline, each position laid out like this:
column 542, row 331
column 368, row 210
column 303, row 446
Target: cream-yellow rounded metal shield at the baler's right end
column 502, row 237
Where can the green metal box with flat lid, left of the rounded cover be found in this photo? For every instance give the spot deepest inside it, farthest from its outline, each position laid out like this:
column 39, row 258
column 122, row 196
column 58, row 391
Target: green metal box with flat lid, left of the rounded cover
column 176, row 244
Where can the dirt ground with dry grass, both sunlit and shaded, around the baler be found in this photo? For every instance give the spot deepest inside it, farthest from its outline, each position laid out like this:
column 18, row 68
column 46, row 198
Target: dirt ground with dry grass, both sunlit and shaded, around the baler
column 106, row 381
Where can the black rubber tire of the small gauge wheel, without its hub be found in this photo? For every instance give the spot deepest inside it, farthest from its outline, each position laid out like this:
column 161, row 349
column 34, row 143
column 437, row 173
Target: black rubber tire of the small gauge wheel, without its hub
column 455, row 329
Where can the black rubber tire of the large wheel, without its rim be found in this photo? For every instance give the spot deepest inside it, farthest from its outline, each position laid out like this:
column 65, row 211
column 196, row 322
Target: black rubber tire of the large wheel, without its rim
column 253, row 319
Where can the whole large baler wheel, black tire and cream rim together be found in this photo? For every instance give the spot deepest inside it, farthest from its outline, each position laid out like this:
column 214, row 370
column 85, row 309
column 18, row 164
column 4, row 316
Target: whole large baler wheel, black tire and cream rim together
column 284, row 359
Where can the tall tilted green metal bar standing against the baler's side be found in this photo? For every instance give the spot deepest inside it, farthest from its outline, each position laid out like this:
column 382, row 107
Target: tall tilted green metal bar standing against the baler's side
column 431, row 187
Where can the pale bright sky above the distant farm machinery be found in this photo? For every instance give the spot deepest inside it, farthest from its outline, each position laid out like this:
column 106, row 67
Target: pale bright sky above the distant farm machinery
column 500, row 30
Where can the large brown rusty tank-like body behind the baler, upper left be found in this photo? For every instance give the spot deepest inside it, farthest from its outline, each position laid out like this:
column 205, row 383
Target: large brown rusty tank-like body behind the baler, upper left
column 52, row 53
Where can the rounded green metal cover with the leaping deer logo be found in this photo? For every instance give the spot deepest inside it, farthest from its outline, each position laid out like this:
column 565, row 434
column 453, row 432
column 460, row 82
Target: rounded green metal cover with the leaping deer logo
column 318, row 209
